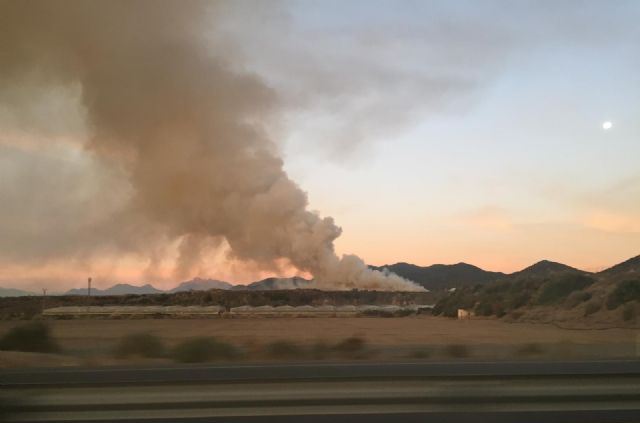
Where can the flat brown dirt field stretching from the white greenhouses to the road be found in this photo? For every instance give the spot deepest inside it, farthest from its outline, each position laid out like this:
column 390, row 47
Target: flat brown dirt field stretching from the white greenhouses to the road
column 414, row 336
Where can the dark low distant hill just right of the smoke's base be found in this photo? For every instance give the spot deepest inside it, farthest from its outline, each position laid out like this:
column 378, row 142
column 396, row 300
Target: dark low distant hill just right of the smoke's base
column 442, row 276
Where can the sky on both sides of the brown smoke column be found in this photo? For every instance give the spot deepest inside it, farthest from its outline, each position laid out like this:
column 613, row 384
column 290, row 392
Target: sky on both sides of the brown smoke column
column 431, row 131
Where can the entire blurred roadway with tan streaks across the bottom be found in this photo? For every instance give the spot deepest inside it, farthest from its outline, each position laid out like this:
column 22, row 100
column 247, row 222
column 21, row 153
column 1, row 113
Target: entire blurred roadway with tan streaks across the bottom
column 593, row 391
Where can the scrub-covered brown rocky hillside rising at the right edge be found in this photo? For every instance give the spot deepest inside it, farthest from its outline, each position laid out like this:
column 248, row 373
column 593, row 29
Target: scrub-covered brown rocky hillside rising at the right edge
column 552, row 292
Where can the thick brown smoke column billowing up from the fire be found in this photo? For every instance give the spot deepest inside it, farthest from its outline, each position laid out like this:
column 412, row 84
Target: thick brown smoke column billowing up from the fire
column 186, row 126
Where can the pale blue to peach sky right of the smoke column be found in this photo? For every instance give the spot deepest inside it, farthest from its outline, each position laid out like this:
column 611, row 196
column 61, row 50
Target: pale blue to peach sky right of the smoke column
column 464, row 131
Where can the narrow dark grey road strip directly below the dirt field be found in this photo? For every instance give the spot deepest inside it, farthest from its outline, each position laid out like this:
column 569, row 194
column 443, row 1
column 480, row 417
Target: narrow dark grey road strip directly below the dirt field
column 312, row 371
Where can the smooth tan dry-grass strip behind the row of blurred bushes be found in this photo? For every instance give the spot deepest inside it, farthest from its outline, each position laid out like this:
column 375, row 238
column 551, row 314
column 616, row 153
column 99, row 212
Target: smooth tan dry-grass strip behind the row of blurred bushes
column 377, row 331
